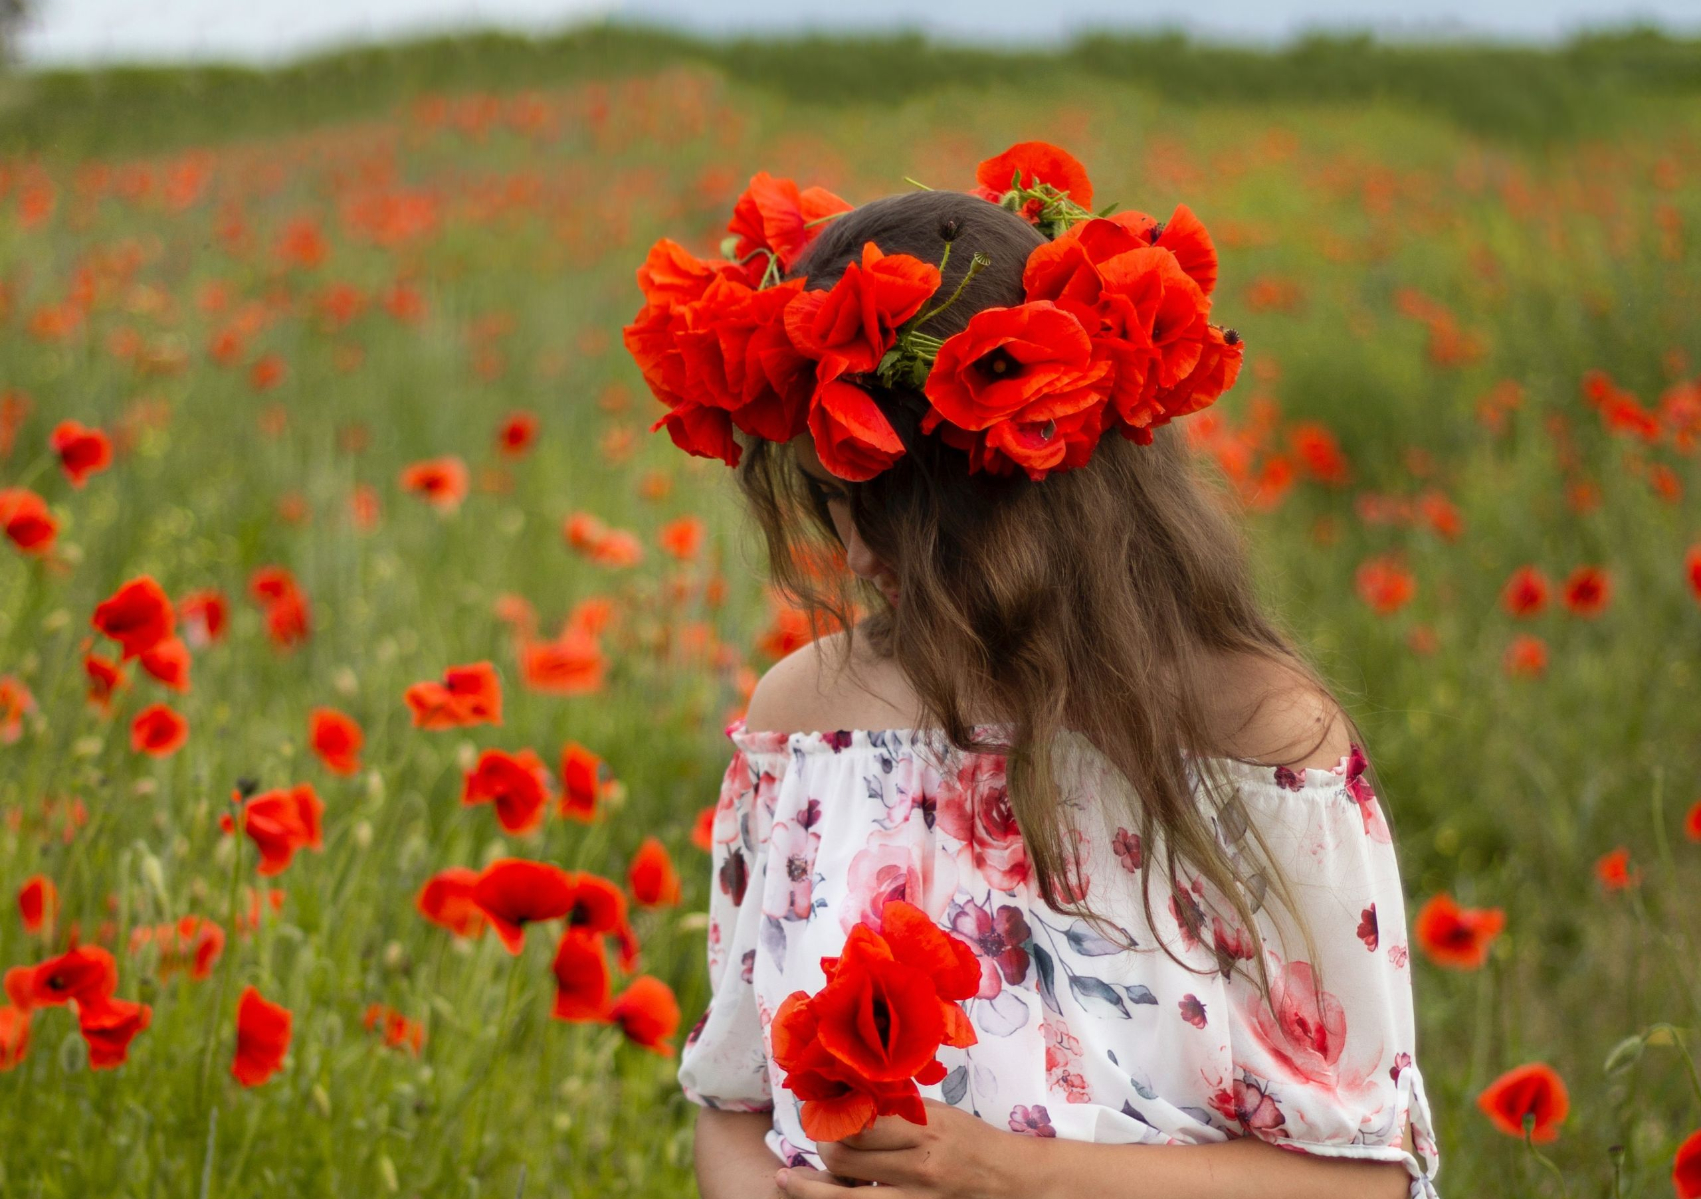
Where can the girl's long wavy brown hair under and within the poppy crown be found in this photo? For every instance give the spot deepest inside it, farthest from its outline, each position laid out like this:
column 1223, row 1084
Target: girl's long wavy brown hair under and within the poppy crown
column 1089, row 601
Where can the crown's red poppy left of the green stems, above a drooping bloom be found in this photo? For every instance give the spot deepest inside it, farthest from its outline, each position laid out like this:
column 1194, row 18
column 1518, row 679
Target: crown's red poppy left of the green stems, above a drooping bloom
column 855, row 322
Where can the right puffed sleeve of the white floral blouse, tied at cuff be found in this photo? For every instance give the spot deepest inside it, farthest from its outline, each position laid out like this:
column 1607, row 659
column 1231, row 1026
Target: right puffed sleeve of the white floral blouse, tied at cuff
column 1328, row 1064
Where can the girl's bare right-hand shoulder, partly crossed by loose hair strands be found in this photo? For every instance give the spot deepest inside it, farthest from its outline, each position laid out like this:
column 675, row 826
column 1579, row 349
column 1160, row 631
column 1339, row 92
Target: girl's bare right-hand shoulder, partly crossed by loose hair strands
column 1271, row 713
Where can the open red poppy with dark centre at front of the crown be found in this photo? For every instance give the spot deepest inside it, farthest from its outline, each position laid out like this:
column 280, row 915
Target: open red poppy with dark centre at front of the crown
column 1025, row 378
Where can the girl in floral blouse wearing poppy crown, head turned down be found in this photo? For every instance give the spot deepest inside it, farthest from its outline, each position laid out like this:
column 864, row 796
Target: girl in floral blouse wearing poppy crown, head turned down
column 1055, row 717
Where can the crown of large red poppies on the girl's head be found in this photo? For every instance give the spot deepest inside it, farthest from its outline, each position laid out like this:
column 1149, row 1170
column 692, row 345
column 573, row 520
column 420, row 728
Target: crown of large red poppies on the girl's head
column 1113, row 332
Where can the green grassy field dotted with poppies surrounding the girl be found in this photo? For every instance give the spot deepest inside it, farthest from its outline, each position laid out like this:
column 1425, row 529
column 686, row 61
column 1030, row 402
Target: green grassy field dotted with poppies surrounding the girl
column 1467, row 355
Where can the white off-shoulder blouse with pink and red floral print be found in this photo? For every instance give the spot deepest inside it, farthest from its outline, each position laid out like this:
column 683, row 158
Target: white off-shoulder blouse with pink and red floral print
column 1078, row 1037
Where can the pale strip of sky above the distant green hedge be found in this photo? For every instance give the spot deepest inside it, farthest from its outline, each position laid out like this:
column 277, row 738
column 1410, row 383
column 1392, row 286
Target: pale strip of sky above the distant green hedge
column 266, row 31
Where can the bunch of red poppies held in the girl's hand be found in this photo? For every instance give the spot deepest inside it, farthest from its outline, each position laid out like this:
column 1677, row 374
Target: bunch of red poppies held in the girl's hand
column 860, row 1047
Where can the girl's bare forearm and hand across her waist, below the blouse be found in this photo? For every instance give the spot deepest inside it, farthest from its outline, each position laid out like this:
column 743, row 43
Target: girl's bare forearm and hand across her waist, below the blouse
column 959, row 1157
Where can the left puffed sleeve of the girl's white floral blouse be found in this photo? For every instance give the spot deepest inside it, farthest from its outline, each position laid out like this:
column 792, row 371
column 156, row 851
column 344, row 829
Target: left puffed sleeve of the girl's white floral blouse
column 725, row 1064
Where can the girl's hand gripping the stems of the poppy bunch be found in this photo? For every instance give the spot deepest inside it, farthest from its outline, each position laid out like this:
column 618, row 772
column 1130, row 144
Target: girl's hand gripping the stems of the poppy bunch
column 955, row 1156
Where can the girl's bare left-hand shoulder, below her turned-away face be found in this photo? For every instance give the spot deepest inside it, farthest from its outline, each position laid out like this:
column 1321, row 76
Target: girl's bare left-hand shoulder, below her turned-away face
column 822, row 688
